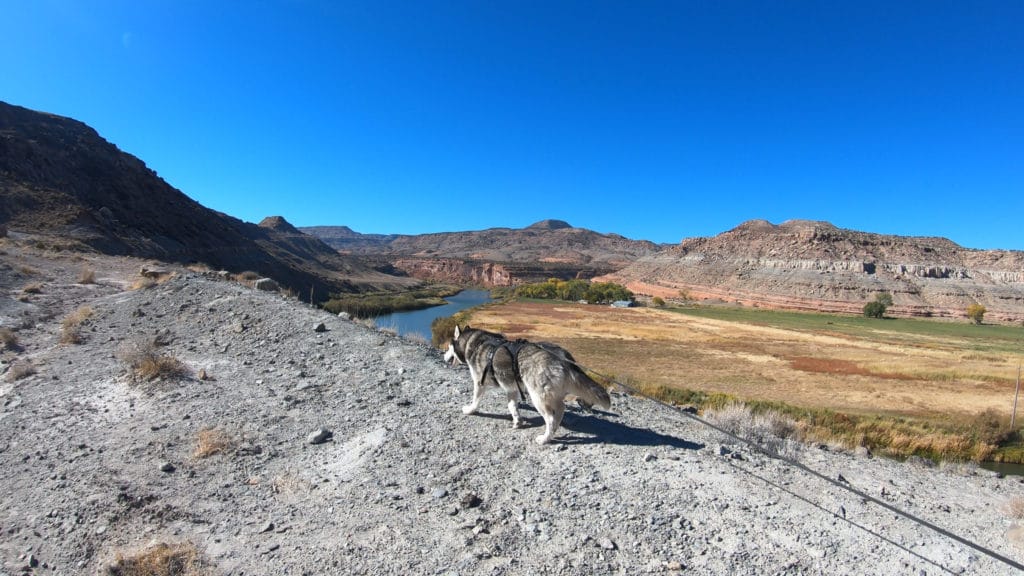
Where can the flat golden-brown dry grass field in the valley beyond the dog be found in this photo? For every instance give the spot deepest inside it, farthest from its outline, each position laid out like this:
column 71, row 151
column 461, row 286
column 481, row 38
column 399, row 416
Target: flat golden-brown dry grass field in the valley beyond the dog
column 928, row 371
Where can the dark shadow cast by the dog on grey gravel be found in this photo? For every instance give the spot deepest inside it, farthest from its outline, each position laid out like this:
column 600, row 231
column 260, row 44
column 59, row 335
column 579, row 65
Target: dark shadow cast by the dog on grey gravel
column 599, row 428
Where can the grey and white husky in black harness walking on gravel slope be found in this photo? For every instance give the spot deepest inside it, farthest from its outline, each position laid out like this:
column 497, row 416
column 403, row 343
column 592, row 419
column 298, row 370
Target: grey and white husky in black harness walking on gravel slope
column 543, row 372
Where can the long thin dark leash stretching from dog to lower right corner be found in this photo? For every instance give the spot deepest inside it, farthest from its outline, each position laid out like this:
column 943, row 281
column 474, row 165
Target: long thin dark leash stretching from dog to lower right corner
column 836, row 483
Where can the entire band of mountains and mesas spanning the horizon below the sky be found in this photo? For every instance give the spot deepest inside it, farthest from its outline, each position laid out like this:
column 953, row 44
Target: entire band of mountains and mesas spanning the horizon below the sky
column 59, row 178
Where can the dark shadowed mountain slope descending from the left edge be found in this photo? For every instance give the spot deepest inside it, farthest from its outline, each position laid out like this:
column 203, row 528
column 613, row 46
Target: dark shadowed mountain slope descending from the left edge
column 60, row 177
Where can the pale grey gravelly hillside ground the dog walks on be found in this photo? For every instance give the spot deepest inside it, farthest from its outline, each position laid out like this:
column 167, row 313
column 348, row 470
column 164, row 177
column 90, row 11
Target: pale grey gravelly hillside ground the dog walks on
column 97, row 465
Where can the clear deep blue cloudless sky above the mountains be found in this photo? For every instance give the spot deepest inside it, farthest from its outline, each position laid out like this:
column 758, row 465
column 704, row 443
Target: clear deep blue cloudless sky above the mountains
column 655, row 120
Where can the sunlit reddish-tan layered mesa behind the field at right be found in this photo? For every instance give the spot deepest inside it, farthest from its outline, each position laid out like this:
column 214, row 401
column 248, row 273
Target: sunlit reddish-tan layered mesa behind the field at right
column 817, row 267
